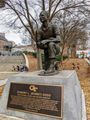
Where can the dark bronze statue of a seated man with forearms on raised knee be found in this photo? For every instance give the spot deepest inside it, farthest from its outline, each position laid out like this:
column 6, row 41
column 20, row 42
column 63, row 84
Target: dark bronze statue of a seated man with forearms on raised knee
column 47, row 39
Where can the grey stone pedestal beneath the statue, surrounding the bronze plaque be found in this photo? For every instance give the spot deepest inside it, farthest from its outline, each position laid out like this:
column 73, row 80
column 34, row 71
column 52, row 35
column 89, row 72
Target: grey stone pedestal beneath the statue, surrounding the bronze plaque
column 72, row 95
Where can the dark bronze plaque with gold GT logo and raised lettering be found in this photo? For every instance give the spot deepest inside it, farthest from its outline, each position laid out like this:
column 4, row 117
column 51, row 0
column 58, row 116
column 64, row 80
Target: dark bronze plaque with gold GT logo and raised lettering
column 41, row 99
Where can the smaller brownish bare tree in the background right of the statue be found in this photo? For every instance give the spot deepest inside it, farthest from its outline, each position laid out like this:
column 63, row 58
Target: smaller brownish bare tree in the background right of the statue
column 72, row 31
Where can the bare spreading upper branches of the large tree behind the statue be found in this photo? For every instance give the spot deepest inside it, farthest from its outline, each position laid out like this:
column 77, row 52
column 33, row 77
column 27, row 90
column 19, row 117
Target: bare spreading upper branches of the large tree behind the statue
column 23, row 11
